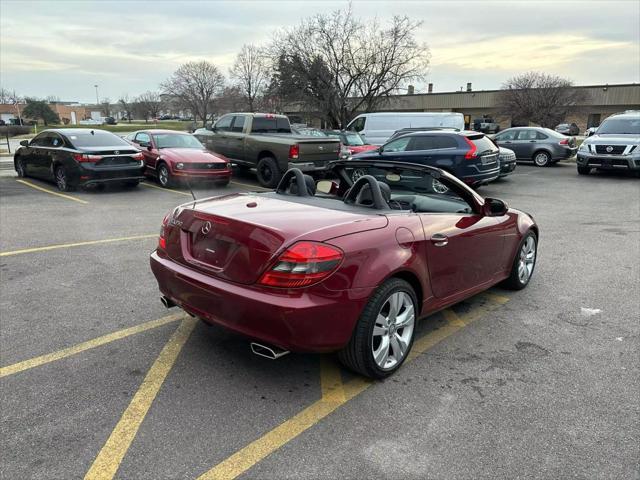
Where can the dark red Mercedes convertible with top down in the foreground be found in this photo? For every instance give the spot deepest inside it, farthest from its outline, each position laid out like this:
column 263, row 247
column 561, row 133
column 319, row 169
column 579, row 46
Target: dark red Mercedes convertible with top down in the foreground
column 351, row 269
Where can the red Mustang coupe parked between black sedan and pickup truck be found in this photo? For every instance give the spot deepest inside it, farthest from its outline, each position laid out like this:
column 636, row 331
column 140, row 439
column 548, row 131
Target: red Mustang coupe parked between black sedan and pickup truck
column 171, row 156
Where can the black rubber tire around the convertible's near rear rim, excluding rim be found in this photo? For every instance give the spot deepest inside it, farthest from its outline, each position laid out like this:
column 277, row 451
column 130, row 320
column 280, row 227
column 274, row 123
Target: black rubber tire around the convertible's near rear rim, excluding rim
column 357, row 355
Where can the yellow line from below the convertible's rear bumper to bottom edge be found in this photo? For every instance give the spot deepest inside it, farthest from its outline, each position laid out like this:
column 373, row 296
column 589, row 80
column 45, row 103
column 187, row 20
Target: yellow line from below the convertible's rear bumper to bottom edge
column 108, row 460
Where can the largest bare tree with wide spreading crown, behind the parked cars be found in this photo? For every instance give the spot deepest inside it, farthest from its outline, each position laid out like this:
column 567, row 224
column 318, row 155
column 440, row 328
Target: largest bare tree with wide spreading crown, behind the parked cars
column 339, row 65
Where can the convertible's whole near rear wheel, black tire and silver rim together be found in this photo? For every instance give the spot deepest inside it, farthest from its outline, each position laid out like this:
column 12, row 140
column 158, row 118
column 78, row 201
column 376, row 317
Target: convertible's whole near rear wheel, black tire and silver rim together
column 383, row 336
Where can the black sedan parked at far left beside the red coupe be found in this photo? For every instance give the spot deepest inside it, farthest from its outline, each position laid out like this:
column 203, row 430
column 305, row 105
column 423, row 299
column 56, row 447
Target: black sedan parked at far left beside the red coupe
column 74, row 157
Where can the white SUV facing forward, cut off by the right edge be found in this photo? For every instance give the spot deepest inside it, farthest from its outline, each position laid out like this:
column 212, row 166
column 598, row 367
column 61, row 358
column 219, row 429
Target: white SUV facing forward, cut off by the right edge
column 614, row 146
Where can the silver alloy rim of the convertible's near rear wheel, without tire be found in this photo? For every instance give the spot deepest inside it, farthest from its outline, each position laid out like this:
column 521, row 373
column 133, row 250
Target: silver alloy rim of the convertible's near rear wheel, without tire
column 393, row 330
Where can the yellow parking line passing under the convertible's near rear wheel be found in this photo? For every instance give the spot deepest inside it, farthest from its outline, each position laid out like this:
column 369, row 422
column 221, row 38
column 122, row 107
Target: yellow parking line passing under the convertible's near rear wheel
column 334, row 395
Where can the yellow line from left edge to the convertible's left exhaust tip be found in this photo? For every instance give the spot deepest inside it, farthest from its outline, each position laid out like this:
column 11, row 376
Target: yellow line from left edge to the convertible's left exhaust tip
column 81, row 347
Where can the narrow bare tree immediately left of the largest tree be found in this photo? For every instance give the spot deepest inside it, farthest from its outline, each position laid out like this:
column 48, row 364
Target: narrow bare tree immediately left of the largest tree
column 251, row 72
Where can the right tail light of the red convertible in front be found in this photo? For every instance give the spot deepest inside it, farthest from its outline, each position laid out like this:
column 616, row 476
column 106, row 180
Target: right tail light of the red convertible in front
column 303, row 264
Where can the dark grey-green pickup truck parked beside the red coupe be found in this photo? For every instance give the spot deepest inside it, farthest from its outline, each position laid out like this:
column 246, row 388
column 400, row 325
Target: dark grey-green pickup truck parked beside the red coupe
column 265, row 142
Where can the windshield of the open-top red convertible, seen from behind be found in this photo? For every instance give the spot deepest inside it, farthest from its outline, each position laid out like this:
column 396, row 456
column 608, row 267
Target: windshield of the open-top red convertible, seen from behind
column 413, row 189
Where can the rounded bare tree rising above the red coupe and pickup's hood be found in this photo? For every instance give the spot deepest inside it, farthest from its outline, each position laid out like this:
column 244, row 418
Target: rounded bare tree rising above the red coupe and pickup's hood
column 196, row 85
